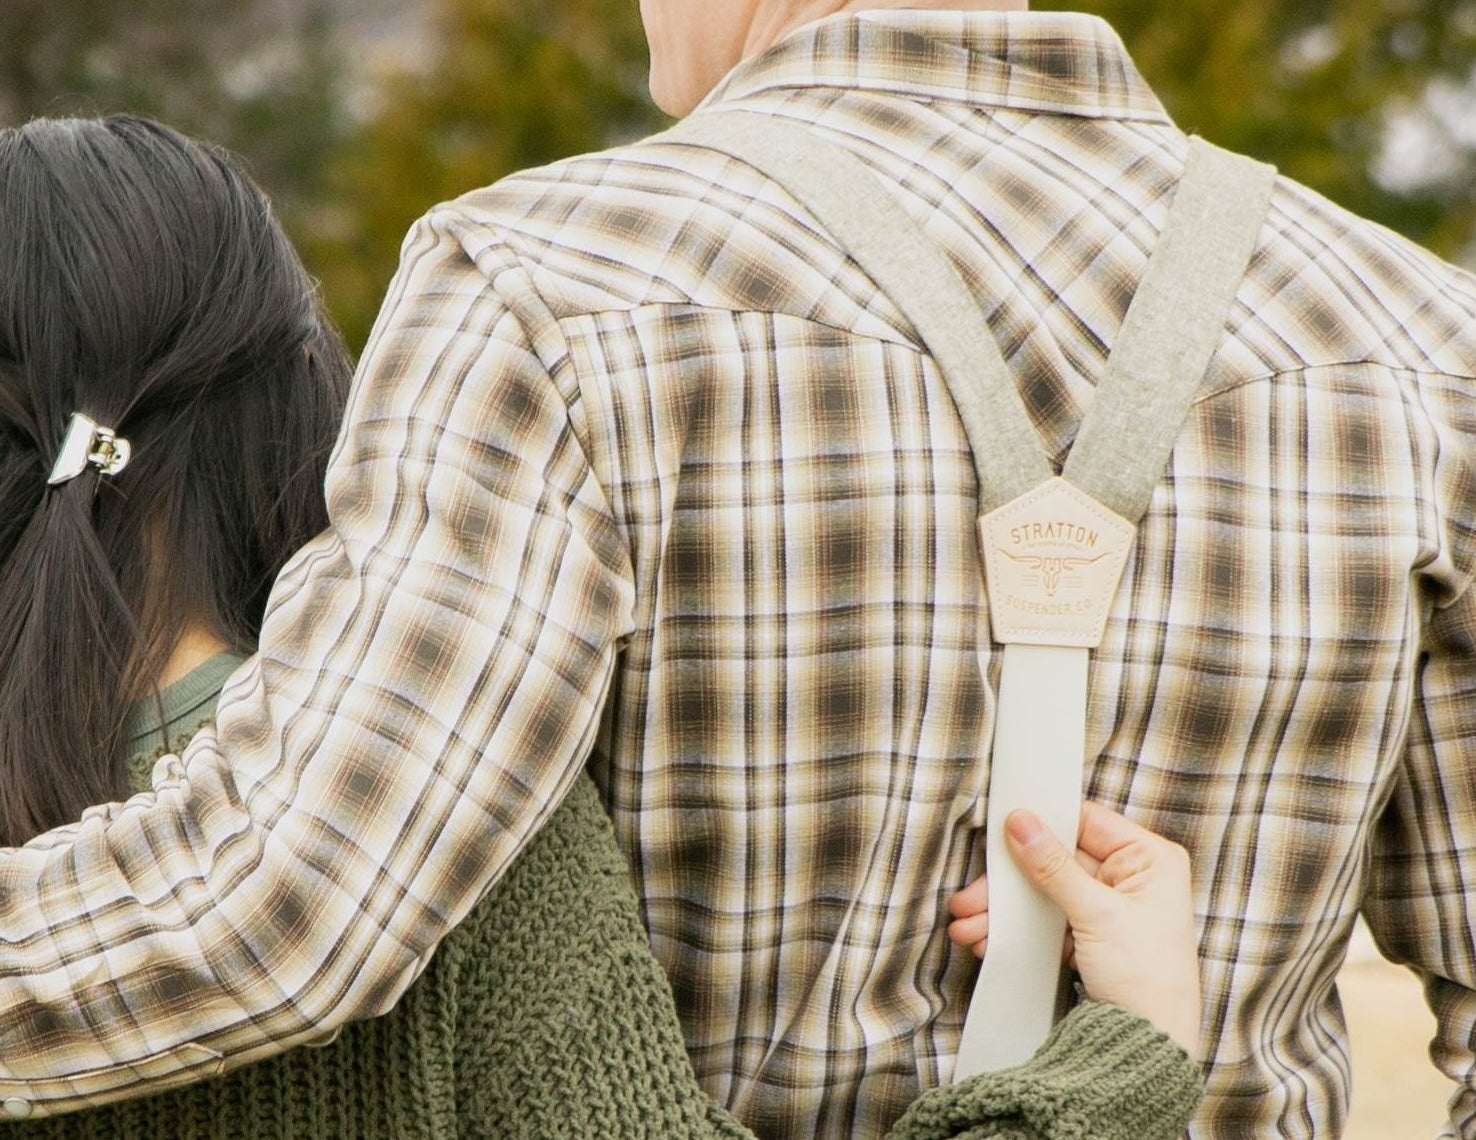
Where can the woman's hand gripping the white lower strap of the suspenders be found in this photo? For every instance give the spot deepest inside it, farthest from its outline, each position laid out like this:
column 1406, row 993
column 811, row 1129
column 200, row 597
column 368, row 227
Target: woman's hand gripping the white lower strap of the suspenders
column 1130, row 907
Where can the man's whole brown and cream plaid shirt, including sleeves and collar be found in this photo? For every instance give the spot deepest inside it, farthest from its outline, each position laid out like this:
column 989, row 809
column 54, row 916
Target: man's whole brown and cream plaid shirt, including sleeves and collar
column 641, row 470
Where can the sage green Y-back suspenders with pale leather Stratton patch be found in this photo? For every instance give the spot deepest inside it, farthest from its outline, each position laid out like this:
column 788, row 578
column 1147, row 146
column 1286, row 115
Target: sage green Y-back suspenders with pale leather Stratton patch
column 1053, row 547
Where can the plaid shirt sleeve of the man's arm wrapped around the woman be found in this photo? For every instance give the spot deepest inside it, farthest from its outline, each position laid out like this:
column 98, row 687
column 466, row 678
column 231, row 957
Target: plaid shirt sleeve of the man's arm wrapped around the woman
column 429, row 684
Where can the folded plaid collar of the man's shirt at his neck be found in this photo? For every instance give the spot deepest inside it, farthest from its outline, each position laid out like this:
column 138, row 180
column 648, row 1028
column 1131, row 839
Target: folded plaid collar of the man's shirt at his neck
column 1052, row 63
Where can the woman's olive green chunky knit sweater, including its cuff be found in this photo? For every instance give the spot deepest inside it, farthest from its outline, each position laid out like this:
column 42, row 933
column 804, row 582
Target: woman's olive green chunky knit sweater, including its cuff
column 544, row 1017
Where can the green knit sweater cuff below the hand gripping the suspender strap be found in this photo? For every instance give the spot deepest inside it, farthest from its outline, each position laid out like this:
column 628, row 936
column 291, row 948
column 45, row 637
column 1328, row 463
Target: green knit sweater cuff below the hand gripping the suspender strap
column 1103, row 1074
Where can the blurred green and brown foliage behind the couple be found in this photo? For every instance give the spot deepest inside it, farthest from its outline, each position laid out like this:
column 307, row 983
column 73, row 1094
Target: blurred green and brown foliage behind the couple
column 359, row 114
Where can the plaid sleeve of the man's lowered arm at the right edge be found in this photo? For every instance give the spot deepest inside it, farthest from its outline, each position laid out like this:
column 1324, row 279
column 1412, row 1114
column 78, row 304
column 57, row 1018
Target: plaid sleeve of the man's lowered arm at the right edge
column 1422, row 872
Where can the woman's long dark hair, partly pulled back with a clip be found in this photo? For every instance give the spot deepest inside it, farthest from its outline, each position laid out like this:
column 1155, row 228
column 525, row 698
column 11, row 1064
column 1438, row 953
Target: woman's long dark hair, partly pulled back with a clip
column 145, row 284
